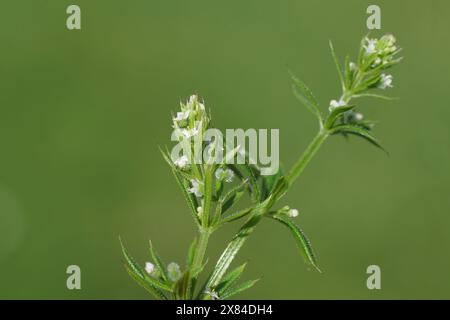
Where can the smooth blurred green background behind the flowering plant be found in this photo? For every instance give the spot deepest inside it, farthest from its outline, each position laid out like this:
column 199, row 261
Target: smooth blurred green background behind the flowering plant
column 82, row 114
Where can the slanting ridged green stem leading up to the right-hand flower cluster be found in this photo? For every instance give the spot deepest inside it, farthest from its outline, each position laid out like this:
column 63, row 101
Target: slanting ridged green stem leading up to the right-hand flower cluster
column 238, row 241
